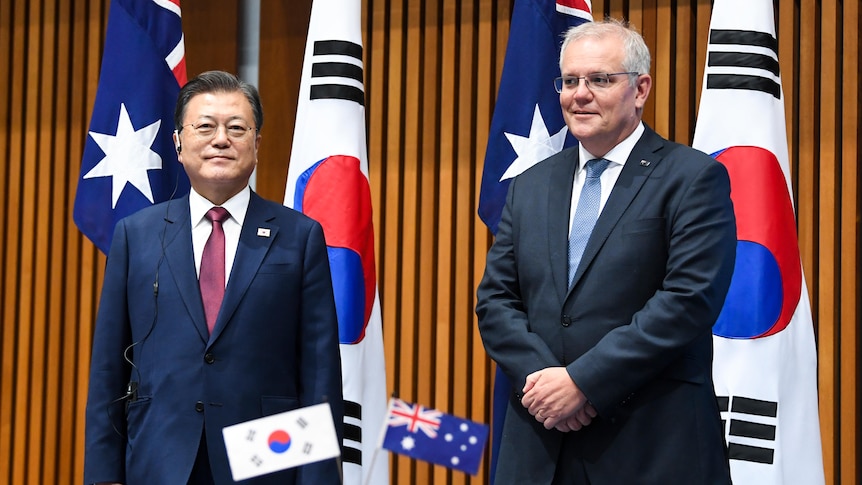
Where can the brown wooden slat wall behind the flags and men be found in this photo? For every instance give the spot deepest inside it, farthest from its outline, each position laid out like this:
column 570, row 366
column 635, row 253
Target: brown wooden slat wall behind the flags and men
column 432, row 69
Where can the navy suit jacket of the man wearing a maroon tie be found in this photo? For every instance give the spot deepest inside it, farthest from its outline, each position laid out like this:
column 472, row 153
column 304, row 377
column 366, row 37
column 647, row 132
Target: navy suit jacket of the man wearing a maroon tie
column 274, row 346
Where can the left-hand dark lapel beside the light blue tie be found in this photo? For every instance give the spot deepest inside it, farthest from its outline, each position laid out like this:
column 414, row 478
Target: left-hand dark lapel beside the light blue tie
column 559, row 204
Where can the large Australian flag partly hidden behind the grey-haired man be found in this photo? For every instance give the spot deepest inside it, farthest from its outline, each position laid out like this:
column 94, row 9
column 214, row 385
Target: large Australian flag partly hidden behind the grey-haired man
column 528, row 125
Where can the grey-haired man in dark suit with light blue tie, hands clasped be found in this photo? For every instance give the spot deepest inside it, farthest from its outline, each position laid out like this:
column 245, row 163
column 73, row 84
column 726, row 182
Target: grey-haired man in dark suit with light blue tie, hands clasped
column 605, row 331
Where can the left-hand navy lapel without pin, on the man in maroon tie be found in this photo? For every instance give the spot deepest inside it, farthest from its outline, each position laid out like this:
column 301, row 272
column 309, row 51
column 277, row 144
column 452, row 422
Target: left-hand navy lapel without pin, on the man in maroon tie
column 181, row 260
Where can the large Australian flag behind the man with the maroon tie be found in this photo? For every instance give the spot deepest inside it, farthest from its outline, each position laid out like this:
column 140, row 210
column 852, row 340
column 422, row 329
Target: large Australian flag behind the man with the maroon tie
column 129, row 159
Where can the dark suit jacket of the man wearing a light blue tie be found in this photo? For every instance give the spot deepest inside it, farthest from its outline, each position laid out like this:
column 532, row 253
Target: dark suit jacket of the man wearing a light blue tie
column 634, row 331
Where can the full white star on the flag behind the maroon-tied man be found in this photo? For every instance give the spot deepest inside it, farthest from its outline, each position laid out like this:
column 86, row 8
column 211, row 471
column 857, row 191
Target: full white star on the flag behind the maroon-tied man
column 128, row 156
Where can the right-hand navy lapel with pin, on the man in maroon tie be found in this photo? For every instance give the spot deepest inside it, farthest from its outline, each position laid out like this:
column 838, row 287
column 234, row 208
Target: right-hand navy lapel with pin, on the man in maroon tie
column 250, row 251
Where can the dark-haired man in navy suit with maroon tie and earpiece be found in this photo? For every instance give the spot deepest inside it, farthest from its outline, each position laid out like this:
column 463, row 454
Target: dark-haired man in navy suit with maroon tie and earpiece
column 187, row 343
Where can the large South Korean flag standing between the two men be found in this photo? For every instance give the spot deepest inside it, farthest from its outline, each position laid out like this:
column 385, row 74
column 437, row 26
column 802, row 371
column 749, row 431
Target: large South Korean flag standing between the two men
column 328, row 180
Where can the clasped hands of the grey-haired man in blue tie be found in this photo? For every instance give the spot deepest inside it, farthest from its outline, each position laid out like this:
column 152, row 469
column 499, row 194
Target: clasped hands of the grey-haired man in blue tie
column 553, row 398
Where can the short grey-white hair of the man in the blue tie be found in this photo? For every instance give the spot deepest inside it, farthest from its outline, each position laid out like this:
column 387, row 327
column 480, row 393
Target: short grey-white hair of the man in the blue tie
column 636, row 56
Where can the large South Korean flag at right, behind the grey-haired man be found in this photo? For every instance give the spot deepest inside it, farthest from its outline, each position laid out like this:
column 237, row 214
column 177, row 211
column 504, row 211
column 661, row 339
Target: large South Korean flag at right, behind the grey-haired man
column 765, row 363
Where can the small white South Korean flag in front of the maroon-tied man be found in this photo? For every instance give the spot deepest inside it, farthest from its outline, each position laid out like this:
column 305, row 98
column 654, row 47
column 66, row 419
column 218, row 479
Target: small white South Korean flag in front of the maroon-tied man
column 281, row 441
